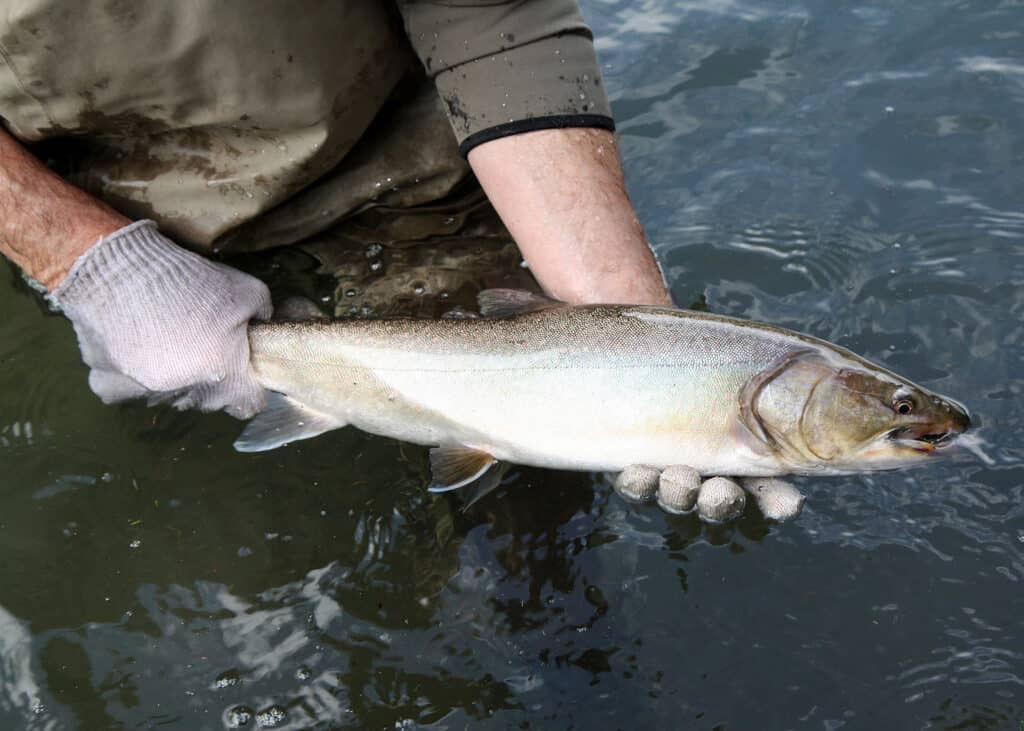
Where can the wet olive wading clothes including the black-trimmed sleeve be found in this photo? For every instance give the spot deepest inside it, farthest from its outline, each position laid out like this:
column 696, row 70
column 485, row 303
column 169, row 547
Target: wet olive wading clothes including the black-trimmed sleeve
column 241, row 125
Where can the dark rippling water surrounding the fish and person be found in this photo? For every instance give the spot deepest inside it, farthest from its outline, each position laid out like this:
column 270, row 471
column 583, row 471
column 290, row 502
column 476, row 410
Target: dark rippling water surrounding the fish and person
column 852, row 170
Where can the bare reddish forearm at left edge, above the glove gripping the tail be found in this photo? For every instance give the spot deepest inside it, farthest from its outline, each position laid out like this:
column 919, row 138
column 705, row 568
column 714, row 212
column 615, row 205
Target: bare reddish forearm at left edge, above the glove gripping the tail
column 46, row 224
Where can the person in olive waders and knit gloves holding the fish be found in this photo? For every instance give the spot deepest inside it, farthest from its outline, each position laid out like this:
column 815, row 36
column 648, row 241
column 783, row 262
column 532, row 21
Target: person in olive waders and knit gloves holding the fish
column 242, row 125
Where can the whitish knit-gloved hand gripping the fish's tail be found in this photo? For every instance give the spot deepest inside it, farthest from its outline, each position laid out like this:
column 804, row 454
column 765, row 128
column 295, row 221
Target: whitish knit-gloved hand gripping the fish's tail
column 156, row 321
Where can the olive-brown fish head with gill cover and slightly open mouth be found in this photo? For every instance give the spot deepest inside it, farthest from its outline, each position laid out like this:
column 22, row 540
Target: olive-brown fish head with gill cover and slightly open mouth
column 837, row 415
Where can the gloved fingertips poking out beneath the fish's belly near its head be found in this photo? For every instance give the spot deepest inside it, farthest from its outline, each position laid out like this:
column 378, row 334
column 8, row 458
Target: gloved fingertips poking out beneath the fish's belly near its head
column 679, row 490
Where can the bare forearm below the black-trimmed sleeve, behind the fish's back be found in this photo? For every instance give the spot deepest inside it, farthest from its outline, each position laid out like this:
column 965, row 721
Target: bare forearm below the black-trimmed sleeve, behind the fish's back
column 563, row 197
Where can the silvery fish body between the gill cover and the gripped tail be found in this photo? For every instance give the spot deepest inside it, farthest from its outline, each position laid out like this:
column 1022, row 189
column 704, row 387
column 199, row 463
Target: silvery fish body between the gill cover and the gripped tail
column 582, row 389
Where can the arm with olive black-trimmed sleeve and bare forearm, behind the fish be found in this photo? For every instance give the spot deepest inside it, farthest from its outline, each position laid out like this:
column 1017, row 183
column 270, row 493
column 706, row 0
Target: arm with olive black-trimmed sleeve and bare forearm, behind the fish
column 528, row 106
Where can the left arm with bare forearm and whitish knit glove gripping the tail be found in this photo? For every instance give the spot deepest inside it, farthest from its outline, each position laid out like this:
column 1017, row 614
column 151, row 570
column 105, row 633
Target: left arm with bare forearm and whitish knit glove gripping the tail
column 153, row 320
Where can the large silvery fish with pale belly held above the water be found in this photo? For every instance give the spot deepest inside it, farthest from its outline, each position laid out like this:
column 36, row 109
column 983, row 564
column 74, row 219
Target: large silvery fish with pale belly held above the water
column 595, row 389
